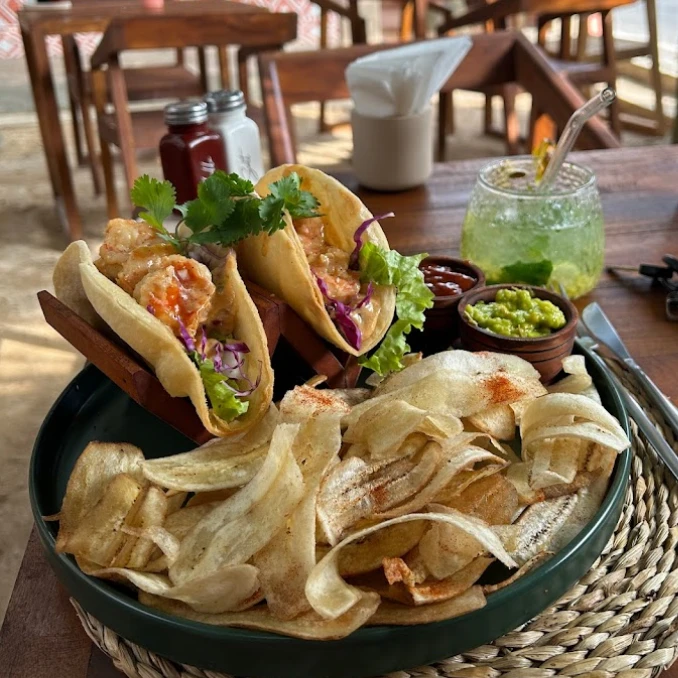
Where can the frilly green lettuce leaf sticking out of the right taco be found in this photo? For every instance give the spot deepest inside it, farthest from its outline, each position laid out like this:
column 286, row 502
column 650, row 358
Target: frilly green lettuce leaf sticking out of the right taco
column 388, row 267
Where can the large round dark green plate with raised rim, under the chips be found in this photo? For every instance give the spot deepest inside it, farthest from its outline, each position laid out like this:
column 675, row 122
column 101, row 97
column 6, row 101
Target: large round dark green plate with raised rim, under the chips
column 92, row 408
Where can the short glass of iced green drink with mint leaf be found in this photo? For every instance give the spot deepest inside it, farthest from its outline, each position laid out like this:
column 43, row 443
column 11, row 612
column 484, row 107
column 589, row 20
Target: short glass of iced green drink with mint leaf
column 517, row 235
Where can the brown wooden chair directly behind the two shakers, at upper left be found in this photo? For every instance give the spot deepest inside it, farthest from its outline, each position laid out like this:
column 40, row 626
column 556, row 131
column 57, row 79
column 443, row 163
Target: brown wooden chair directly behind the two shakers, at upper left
column 252, row 32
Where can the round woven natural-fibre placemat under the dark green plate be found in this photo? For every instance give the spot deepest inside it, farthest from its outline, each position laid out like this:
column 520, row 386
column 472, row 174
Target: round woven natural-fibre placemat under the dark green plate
column 620, row 620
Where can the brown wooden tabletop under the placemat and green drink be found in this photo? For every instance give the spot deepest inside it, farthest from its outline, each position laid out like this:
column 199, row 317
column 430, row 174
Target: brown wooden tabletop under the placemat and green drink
column 41, row 636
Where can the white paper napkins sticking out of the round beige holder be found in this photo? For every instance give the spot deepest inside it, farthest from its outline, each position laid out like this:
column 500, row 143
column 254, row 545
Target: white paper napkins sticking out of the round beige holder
column 401, row 81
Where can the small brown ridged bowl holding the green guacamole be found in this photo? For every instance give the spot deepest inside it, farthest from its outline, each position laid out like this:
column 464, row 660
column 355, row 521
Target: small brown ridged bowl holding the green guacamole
column 545, row 353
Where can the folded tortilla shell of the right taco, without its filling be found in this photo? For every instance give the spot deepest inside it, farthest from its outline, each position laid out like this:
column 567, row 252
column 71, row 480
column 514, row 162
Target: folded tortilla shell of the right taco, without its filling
column 278, row 263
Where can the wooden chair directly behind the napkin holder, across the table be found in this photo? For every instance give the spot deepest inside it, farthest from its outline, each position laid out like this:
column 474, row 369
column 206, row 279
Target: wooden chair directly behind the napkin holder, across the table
column 289, row 78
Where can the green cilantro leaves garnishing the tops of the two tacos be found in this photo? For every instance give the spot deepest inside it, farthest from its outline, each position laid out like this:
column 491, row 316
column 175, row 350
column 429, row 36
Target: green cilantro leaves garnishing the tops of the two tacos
column 225, row 211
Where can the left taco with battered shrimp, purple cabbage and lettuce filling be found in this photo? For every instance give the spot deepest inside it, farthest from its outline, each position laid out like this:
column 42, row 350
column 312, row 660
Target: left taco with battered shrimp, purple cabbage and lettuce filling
column 194, row 324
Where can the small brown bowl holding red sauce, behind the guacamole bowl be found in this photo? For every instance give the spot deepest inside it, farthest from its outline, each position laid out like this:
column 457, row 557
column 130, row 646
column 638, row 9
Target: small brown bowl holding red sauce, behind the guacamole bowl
column 441, row 328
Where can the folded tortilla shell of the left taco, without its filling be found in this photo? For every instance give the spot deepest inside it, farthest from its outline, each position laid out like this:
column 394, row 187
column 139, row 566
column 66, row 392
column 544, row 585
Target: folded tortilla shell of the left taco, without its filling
column 80, row 285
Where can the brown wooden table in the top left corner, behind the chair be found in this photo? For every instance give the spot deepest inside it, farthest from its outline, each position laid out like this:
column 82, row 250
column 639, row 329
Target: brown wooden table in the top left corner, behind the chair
column 39, row 22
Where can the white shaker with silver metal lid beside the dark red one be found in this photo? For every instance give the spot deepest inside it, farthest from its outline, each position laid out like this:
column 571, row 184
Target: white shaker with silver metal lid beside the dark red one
column 240, row 134
